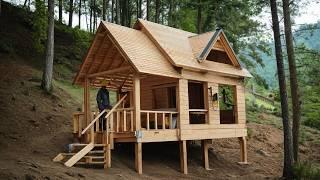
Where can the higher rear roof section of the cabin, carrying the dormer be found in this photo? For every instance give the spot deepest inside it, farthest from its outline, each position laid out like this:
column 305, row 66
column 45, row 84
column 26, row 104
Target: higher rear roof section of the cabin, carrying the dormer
column 181, row 48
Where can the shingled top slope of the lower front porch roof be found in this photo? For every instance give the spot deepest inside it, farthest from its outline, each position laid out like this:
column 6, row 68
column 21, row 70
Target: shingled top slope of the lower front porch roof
column 143, row 54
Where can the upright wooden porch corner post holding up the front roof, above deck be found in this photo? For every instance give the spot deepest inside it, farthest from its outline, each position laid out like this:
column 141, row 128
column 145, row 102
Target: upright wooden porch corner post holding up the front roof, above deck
column 136, row 99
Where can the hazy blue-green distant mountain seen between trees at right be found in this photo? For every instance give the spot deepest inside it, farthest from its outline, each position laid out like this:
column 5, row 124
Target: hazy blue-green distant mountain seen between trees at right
column 309, row 35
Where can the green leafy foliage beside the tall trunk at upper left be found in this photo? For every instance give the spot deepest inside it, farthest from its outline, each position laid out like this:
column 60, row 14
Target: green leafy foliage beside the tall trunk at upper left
column 39, row 26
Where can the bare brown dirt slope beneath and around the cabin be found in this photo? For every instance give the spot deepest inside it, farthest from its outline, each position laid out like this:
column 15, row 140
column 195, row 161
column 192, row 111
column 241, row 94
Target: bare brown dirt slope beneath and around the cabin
column 35, row 127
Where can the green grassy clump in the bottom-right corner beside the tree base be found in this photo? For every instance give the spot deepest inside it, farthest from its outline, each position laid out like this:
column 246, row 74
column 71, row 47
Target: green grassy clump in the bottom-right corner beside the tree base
column 306, row 171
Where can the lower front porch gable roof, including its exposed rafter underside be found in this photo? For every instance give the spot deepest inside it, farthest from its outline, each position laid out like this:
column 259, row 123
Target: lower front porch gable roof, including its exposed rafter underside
column 133, row 47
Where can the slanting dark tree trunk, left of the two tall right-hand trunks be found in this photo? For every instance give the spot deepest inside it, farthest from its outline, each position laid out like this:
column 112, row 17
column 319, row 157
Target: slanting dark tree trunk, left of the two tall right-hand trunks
column 288, row 155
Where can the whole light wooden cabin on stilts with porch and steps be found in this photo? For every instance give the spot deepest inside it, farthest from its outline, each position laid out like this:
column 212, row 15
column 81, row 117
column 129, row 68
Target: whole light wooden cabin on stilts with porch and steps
column 172, row 85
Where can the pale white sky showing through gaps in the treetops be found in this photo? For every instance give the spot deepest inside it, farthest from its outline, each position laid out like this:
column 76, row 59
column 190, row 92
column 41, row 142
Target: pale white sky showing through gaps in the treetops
column 309, row 13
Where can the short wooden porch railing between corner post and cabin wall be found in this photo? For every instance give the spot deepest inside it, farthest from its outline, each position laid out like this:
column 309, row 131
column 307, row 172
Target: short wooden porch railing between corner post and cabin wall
column 158, row 120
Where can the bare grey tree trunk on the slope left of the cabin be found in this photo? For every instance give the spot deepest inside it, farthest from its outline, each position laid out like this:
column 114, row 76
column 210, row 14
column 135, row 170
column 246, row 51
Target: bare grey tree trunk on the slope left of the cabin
column 48, row 69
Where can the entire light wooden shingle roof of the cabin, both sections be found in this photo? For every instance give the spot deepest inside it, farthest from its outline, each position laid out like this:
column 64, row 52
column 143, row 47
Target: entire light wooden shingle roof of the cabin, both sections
column 152, row 48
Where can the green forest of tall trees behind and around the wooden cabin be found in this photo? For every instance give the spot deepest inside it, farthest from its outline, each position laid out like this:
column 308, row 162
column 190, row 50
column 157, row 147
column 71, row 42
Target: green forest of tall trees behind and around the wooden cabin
column 282, row 57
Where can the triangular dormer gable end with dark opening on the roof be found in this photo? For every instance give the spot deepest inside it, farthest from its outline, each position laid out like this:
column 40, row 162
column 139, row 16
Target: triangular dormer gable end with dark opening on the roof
column 219, row 50
